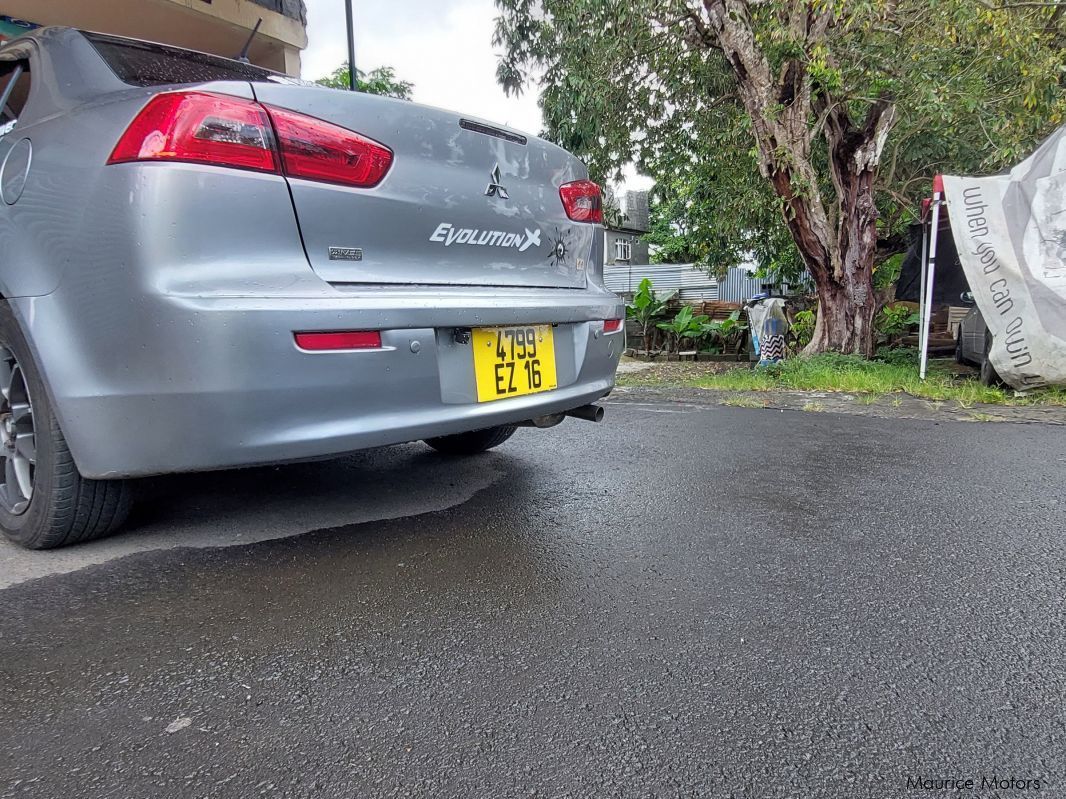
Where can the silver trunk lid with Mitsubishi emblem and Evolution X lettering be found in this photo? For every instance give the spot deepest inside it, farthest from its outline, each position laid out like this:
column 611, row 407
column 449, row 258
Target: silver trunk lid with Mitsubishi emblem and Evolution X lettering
column 464, row 203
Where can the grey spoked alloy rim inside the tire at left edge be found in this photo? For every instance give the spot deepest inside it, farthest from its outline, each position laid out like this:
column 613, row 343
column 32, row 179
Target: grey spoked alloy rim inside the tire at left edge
column 19, row 442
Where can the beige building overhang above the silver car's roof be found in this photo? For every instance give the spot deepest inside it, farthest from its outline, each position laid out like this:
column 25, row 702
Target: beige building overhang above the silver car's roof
column 219, row 27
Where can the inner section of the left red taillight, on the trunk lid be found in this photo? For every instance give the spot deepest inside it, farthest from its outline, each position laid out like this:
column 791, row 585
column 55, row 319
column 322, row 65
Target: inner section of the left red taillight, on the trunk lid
column 319, row 151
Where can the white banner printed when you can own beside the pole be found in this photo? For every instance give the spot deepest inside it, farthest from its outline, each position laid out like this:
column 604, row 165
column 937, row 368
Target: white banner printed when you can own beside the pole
column 1011, row 235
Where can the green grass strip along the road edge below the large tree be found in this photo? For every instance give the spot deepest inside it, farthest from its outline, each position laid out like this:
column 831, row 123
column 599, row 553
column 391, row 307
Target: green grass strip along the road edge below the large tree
column 842, row 373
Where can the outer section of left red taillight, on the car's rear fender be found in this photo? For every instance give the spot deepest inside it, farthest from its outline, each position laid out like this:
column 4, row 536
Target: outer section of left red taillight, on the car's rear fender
column 202, row 128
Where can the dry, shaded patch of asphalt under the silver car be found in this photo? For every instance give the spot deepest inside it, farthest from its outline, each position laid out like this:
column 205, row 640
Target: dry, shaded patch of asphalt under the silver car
column 246, row 507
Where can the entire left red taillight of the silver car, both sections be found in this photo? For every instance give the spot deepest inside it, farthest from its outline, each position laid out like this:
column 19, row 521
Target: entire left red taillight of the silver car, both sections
column 231, row 132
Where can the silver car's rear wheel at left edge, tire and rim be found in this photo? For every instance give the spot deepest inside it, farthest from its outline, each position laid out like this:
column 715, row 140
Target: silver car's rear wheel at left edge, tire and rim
column 45, row 503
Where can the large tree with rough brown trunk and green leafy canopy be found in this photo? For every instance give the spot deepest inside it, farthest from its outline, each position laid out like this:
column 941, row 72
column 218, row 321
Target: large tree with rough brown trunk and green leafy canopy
column 795, row 131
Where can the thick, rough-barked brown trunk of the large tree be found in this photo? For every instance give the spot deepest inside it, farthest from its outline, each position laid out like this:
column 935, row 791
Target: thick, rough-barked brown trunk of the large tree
column 837, row 249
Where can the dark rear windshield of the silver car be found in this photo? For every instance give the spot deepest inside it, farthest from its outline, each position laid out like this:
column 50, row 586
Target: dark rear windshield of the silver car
column 147, row 64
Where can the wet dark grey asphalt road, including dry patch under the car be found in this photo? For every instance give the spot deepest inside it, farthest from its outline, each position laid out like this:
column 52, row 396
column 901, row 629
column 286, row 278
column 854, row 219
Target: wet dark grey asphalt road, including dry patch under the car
column 684, row 601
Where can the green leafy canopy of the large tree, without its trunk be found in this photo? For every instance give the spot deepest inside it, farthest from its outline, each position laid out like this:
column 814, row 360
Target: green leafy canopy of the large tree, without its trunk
column 976, row 86
